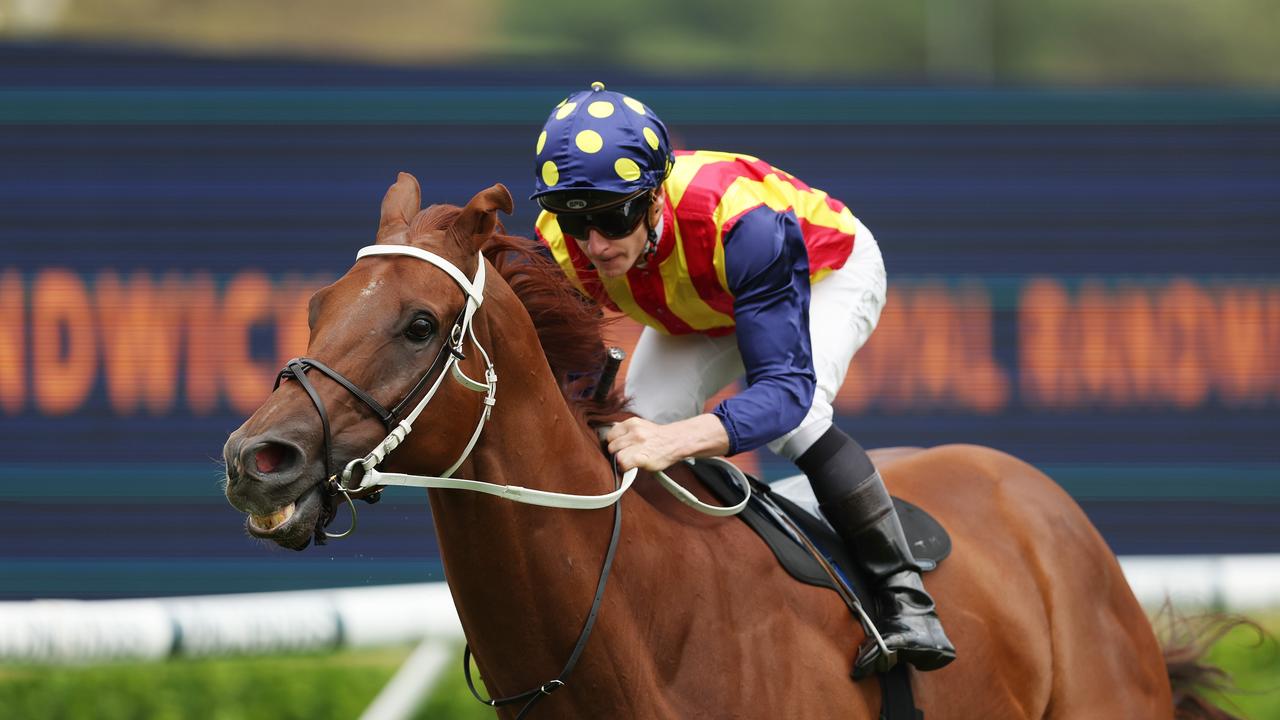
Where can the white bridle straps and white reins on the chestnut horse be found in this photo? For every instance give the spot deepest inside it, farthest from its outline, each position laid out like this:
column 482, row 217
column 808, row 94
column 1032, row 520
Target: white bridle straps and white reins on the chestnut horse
column 474, row 290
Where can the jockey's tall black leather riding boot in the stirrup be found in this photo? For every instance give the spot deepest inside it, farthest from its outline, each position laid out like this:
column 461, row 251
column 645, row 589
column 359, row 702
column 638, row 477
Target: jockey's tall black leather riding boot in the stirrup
column 865, row 517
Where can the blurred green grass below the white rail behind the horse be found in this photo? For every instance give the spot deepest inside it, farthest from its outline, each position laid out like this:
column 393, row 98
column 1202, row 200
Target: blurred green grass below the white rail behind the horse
column 341, row 685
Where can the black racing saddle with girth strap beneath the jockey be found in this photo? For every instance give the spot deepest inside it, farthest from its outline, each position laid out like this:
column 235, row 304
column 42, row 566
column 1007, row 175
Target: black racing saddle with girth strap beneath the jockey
column 784, row 512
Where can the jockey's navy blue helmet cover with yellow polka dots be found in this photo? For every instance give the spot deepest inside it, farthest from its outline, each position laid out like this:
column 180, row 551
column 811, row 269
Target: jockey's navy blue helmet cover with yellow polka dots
column 600, row 142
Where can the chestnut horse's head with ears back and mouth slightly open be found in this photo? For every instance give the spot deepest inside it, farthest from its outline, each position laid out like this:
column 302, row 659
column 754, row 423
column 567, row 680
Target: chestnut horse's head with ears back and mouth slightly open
column 383, row 327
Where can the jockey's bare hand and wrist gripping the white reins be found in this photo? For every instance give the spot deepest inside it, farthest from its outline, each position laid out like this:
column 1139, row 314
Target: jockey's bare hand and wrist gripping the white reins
column 650, row 446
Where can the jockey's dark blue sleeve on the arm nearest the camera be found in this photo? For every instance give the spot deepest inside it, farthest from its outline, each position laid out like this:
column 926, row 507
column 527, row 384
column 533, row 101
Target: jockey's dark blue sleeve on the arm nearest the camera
column 767, row 268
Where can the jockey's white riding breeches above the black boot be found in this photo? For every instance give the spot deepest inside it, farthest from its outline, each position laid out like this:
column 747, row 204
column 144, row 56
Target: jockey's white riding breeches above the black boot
column 671, row 377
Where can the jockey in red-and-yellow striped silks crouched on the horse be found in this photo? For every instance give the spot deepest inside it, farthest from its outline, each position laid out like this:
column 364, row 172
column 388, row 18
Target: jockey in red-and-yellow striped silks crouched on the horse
column 735, row 268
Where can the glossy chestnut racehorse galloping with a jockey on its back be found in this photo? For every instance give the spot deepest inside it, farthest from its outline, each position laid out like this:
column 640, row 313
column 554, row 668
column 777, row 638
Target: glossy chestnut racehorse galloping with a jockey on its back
column 698, row 619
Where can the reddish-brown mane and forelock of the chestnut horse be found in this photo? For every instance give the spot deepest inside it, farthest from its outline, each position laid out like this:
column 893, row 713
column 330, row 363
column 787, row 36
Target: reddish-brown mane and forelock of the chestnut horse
column 570, row 326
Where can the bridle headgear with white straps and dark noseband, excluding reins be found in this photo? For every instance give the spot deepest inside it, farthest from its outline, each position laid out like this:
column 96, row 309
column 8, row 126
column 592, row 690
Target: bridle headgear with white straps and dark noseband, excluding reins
column 397, row 426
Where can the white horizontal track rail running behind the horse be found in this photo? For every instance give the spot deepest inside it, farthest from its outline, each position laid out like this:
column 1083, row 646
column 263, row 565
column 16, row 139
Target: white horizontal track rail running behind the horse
column 75, row 631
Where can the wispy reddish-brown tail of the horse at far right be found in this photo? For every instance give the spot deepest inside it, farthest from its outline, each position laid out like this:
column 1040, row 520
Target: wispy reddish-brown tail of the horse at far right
column 1191, row 677
